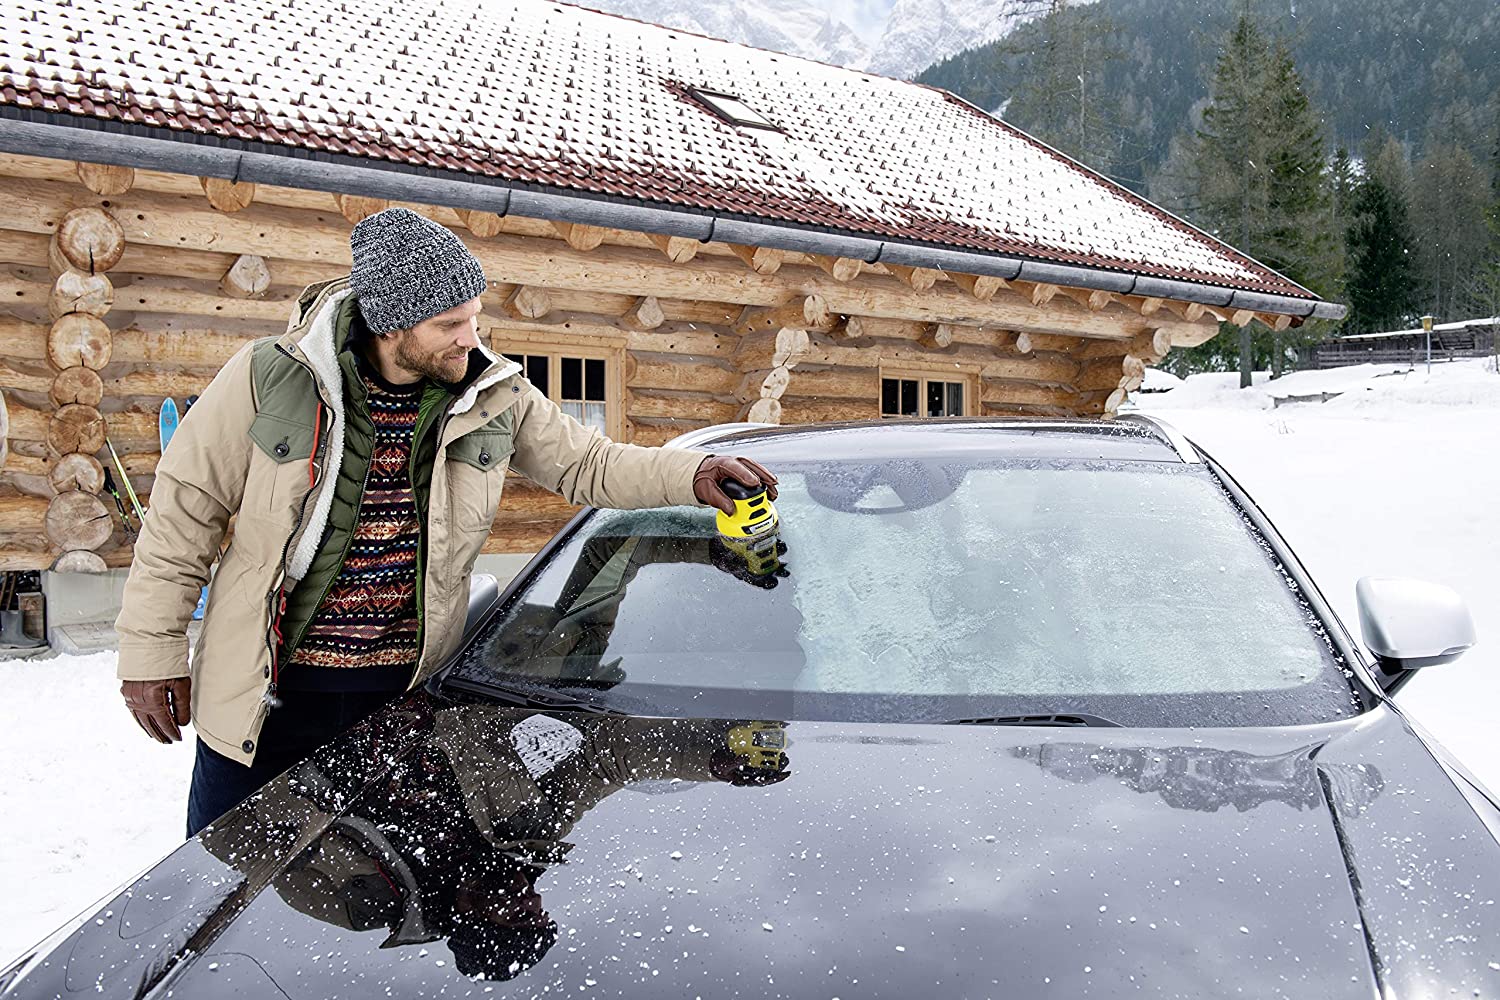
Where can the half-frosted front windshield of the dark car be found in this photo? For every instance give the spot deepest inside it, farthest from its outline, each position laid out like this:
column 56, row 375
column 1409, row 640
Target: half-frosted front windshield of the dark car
column 949, row 584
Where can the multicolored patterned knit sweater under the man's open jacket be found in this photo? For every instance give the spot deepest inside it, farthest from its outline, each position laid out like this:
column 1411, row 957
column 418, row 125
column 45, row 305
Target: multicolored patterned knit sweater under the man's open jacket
column 368, row 620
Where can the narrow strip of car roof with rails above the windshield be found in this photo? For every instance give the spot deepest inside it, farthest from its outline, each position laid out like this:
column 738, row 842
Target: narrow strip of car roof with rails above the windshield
column 1130, row 437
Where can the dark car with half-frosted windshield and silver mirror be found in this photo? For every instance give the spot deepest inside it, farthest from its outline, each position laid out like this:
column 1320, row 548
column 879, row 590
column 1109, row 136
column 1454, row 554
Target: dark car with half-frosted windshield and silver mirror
column 1007, row 708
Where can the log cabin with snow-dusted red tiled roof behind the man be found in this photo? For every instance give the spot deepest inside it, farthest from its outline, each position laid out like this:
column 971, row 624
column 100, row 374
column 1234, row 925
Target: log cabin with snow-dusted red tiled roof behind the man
column 677, row 232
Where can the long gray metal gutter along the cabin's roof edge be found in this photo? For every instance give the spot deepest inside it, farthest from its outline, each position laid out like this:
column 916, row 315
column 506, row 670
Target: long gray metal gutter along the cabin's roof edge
column 127, row 145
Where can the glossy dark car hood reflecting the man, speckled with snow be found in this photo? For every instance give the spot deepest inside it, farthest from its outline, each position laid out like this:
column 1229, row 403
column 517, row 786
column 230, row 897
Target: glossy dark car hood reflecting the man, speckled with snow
column 482, row 851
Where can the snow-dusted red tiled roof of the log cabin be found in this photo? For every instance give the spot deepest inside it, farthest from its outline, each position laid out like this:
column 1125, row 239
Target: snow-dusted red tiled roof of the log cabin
column 581, row 101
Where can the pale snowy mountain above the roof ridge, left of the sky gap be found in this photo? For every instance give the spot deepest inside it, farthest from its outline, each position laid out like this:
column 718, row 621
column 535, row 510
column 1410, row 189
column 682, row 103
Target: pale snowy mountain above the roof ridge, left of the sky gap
column 797, row 28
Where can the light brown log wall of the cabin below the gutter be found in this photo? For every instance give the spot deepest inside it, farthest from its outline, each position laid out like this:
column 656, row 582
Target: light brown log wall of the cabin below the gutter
column 119, row 289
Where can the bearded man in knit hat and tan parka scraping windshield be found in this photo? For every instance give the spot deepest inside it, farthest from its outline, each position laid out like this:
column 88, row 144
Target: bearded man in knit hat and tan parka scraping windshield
column 362, row 457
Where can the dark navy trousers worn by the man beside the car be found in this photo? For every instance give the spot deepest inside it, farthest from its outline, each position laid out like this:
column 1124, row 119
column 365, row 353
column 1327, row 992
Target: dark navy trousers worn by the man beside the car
column 305, row 722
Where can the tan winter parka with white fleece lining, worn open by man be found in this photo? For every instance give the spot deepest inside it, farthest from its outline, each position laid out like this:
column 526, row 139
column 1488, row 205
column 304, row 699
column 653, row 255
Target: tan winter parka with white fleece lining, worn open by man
column 230, row 458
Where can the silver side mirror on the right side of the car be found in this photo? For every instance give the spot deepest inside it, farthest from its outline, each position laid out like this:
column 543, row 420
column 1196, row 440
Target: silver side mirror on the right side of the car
column 1412, row 624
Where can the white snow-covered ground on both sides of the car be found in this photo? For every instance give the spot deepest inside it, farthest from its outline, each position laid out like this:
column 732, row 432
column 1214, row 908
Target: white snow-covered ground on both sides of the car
column 1399, row 476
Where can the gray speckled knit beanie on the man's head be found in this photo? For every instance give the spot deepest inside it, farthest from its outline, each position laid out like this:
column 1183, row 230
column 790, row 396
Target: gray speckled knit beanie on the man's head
column 409, row 269
